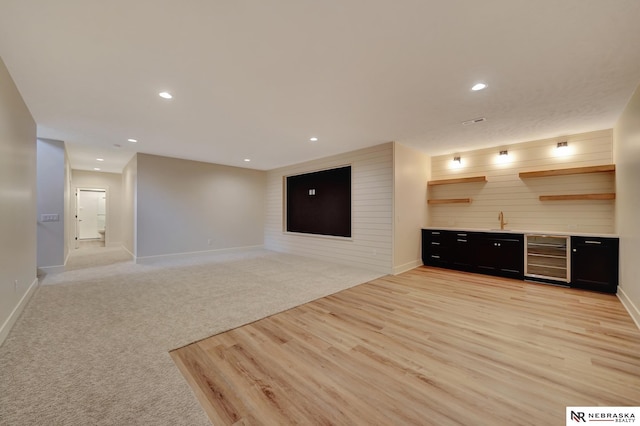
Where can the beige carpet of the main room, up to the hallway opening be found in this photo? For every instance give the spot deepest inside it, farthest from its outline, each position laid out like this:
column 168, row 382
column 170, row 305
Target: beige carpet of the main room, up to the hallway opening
column 92, row 347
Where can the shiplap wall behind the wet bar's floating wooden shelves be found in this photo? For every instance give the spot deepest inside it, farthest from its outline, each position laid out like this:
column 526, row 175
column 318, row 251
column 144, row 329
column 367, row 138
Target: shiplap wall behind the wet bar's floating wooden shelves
column 518, row 198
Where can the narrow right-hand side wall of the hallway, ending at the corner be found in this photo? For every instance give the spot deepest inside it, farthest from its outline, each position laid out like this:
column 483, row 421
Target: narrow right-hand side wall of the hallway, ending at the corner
column 129, row 203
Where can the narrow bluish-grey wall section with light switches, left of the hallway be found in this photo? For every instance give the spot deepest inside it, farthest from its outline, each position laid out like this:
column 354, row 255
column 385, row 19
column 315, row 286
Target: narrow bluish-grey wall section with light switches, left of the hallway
column 51, row 156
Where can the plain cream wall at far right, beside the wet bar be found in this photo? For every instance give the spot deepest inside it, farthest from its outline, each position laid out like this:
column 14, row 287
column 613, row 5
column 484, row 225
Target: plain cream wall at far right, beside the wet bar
column 627, row 156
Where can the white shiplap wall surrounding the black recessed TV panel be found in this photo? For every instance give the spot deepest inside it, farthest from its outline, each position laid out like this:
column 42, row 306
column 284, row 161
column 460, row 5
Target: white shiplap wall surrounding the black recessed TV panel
column 372, row 210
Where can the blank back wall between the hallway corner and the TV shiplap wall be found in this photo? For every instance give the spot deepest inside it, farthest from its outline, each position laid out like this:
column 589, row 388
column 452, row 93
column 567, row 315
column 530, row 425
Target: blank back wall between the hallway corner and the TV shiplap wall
column 188, row 206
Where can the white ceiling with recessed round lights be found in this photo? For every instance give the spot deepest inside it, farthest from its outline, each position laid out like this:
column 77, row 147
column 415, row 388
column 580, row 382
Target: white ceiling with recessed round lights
column 256, row 79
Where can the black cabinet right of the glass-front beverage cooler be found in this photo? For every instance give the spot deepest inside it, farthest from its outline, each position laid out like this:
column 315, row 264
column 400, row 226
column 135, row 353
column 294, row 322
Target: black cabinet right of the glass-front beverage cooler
column 594, row 263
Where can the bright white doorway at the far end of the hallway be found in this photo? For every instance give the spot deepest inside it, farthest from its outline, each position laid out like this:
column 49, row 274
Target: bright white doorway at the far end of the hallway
column 91, row 216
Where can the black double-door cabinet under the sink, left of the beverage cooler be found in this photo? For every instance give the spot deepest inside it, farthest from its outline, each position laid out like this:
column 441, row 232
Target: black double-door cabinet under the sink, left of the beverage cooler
column 499, row 254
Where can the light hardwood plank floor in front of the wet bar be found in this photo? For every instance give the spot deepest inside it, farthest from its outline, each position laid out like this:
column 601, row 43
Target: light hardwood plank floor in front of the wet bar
column 428, row 347
